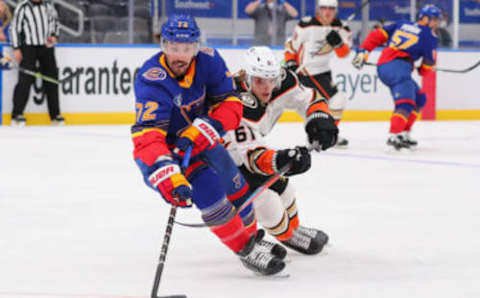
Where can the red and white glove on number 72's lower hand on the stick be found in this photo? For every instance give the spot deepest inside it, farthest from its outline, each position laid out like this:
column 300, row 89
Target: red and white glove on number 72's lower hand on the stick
column 172, row 185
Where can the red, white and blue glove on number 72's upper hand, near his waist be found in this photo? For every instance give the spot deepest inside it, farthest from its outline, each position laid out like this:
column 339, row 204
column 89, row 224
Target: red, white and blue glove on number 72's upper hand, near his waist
column 203, row 134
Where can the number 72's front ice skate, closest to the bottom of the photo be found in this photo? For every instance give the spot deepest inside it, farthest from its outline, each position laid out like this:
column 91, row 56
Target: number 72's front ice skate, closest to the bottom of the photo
column 254, row 258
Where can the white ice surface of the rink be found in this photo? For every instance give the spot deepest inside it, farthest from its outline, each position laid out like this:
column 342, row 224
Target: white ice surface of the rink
column 76, row 220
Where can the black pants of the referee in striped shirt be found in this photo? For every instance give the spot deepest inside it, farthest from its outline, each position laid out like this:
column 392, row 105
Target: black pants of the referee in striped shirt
column 48, row 66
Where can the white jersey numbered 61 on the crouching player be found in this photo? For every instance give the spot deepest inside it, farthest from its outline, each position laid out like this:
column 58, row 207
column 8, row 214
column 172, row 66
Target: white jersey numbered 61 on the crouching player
column 259, row 119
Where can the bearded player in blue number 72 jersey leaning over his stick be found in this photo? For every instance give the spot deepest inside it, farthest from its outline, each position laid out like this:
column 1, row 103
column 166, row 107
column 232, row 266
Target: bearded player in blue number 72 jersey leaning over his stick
column 185, row 97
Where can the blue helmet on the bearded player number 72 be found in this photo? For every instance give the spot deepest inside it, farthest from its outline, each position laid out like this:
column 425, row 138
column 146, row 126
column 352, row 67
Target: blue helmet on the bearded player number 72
column 180, row 28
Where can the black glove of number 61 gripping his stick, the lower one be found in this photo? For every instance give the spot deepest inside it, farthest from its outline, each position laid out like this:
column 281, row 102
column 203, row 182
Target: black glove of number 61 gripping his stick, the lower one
column 299, row 159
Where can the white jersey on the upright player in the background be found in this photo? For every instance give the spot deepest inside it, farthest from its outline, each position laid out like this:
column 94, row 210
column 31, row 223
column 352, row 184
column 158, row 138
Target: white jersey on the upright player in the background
column 309, row 47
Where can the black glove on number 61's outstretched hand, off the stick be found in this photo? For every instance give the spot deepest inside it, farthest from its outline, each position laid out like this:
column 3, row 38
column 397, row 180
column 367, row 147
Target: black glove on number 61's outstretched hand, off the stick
column 321, row 130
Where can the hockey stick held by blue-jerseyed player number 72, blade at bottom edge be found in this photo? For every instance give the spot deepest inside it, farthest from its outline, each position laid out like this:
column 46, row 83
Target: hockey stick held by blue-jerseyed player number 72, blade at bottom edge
column 166, row 239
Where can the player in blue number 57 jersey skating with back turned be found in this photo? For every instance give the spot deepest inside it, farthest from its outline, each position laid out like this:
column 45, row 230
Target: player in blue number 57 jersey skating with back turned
column 406, row 43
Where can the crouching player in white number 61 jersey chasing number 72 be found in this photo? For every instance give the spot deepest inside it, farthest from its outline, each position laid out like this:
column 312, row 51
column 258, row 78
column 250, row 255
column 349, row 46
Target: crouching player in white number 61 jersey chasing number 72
column 267, row 90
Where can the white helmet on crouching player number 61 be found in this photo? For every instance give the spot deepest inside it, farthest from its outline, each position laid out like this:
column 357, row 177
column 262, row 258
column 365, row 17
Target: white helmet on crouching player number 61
column 261, row 62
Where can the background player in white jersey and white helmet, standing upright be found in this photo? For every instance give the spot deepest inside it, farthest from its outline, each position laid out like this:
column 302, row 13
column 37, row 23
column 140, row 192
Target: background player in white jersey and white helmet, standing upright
column 308, row 52
